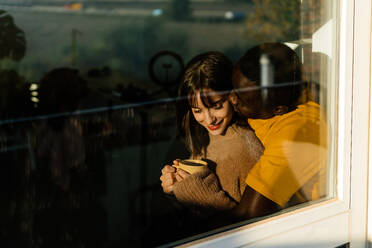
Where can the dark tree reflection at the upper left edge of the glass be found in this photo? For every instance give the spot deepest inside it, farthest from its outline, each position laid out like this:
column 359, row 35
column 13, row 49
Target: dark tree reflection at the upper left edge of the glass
column 12, row 38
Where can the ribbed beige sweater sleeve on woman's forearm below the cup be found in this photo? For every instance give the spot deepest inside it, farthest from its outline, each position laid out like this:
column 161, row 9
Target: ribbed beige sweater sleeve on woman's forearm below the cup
column 203, row 190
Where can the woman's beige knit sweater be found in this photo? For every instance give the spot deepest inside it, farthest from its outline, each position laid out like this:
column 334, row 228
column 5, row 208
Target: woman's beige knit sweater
column 230, row 157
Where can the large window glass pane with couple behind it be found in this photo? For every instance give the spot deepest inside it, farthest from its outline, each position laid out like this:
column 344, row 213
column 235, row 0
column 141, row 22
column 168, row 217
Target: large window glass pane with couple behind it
column 91, row 94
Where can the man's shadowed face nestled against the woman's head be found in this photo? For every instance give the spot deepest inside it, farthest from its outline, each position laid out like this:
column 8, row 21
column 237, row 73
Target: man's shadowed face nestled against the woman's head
column 247, row 100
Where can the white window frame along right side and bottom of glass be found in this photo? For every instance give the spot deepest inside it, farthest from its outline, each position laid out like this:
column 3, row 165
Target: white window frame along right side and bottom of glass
column 341, row 220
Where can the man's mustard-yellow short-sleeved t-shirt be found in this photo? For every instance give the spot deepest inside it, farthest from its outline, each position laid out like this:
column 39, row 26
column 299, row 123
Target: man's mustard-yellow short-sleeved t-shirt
column 294, row 161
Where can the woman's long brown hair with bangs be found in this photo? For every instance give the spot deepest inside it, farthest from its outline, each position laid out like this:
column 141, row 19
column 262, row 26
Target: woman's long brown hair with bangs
column 207, row 71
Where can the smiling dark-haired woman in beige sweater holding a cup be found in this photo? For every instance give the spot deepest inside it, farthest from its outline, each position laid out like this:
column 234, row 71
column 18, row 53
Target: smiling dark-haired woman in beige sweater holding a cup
column 213, row 132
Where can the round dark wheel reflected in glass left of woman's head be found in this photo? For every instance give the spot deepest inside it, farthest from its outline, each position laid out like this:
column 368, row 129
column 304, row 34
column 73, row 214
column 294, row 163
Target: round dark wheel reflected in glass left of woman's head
column 165, row 68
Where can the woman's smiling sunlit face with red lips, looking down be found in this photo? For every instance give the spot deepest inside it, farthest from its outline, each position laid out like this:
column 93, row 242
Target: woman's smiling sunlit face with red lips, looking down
column 215, row 118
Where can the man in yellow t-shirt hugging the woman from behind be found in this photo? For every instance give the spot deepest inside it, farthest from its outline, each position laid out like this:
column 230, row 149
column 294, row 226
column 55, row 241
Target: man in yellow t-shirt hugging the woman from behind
column 269, row 91
